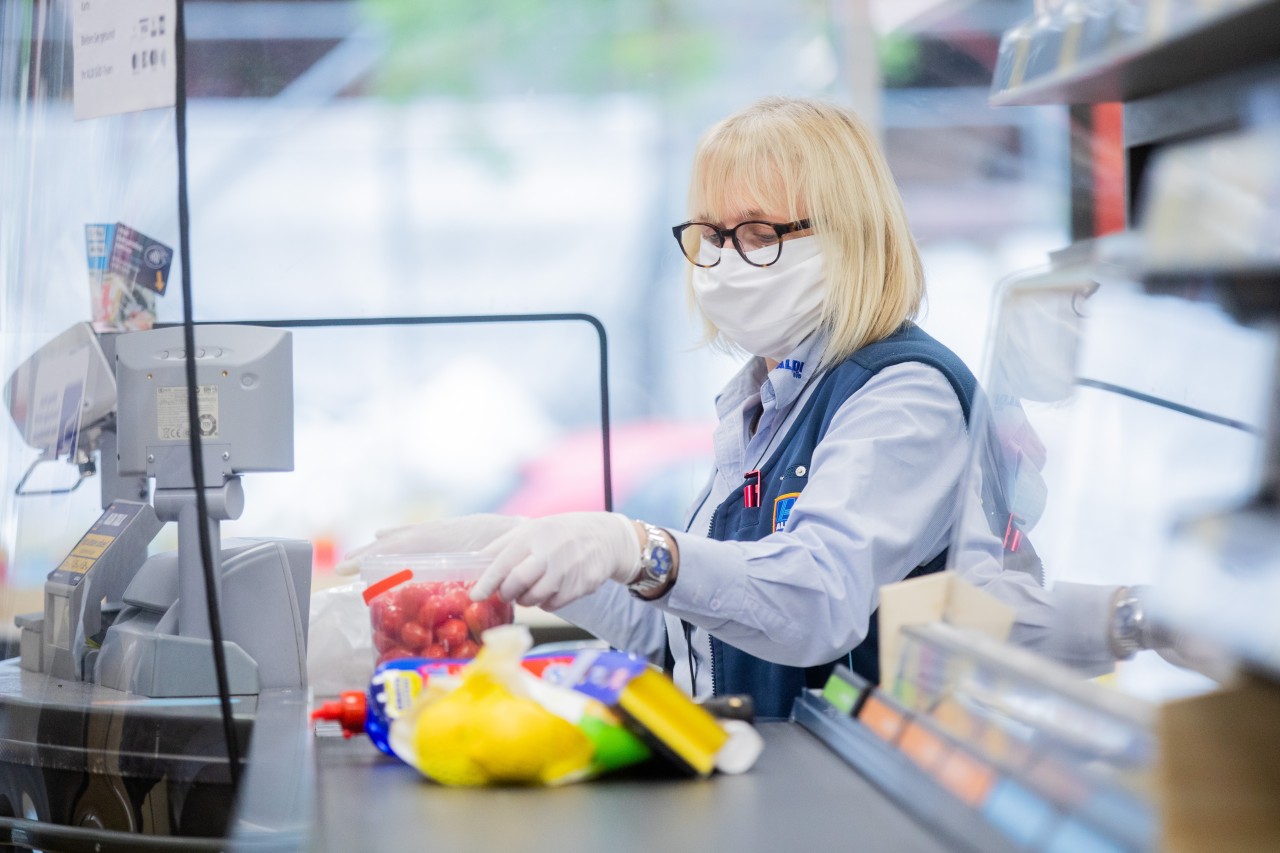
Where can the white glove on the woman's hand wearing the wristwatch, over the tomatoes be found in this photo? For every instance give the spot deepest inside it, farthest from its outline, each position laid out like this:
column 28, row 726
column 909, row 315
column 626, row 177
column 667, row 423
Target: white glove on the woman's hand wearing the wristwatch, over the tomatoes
column 552, row 562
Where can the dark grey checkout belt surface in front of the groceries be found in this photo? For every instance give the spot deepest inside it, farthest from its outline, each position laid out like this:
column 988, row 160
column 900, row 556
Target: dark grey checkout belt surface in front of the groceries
column 799, row 797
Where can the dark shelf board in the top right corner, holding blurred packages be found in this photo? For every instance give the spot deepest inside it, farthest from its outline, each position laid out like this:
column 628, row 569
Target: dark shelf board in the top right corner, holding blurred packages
column 1228, row 42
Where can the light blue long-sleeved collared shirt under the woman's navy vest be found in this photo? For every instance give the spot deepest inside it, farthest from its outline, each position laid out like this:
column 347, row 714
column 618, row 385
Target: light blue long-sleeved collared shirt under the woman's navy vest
column 804, row 596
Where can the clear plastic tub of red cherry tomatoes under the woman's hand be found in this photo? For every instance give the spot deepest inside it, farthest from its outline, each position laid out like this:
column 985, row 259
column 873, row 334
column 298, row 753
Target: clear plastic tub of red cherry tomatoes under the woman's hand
column 420, row 605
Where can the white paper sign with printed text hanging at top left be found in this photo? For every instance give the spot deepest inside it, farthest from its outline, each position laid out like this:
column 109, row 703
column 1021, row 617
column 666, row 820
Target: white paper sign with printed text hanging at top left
column 124, row 56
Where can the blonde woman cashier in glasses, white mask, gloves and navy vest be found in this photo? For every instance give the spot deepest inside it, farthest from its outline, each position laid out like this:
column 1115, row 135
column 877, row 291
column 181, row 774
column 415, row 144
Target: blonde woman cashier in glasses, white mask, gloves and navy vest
column 842, row 445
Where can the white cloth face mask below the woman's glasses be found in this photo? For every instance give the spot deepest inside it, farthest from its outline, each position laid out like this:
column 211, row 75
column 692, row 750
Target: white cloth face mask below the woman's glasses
column 766, row 311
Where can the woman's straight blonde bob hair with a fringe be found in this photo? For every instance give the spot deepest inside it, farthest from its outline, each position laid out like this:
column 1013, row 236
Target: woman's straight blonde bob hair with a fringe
column 817, row 161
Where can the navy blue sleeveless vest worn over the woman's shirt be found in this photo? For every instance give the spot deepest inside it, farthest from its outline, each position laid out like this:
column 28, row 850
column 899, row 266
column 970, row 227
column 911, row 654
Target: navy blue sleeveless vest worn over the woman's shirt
column 775, row 687
